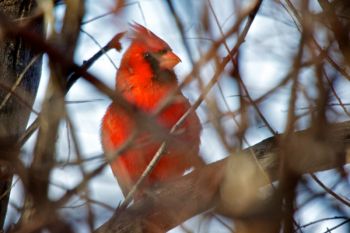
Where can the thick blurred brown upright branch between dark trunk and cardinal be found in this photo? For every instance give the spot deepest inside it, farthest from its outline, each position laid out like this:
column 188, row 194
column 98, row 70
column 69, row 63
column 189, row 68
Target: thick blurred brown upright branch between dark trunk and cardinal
column 53, row 109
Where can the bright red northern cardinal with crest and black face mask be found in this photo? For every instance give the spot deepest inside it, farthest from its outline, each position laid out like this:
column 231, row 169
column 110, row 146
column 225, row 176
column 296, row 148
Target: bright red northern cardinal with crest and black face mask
column 145, row 78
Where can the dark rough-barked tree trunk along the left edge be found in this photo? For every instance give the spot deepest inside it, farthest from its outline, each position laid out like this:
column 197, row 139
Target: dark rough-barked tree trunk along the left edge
column 15, row 55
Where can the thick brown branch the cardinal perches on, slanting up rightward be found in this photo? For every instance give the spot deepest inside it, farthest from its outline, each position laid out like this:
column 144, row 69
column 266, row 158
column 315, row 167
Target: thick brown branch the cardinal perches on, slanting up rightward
column 200, row 190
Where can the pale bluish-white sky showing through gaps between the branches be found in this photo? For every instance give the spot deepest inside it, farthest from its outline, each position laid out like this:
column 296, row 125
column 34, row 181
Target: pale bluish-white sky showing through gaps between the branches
column 271, row 42
